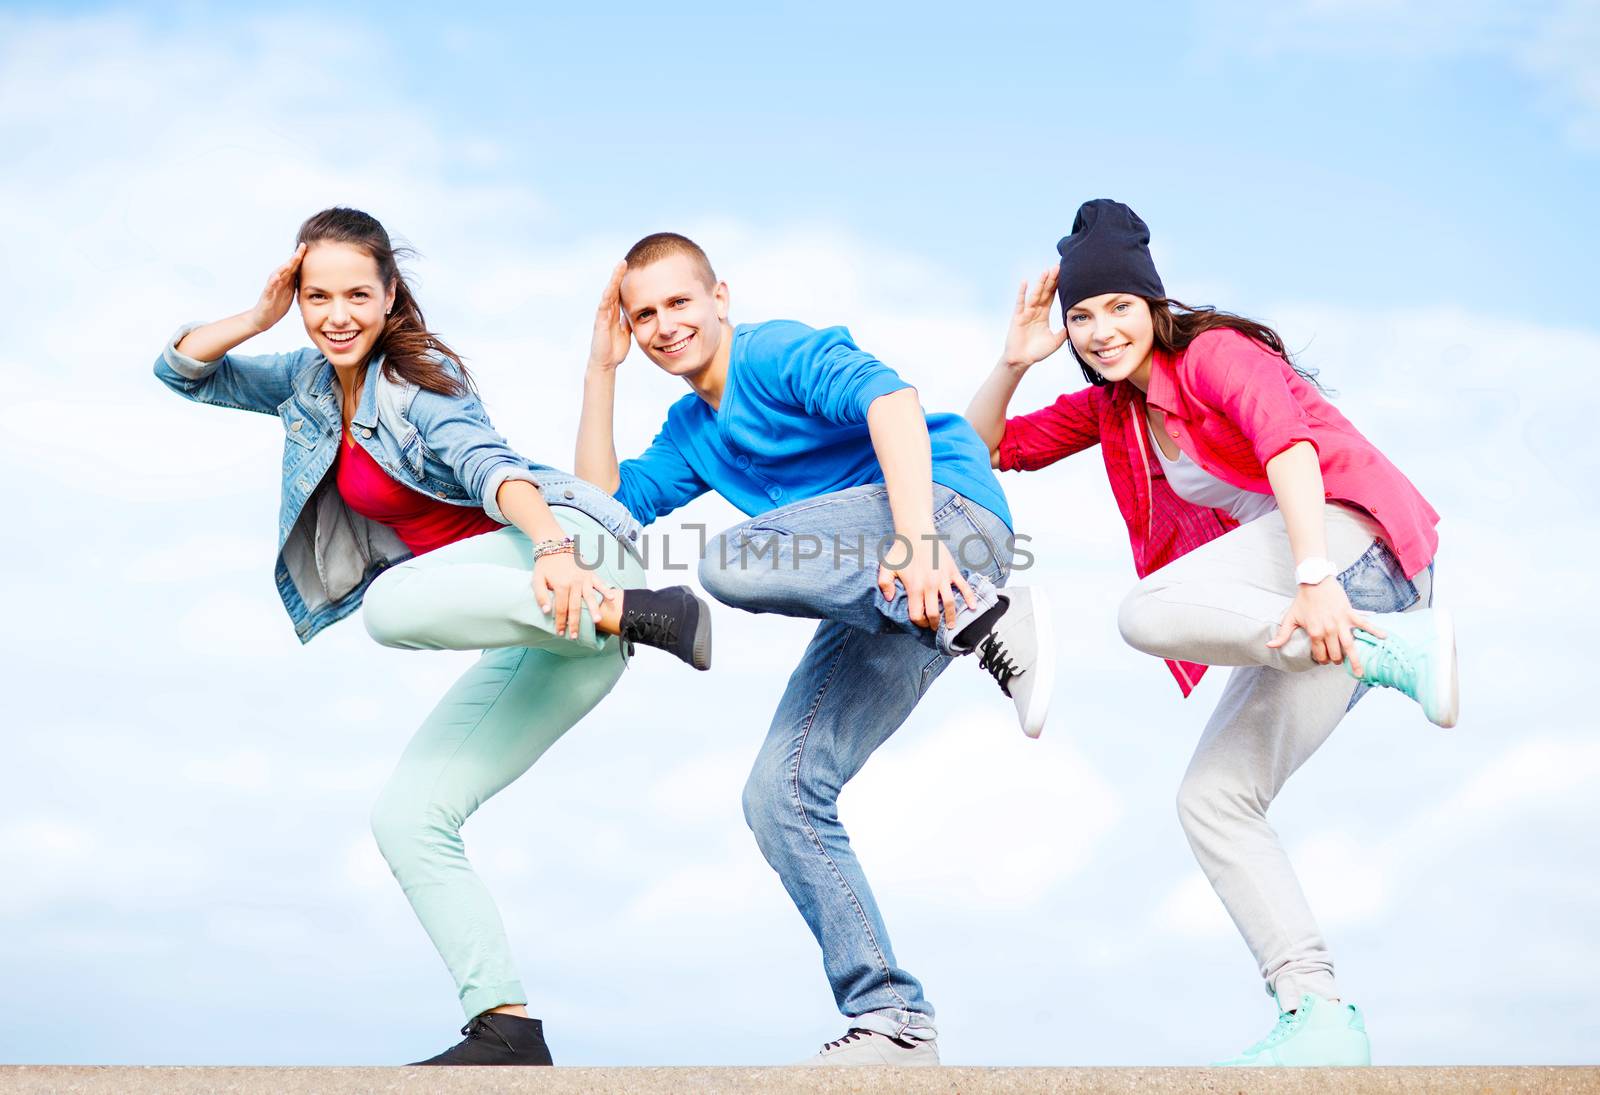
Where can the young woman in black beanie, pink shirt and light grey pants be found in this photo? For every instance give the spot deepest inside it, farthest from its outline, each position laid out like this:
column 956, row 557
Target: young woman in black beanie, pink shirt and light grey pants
column 1270, row 535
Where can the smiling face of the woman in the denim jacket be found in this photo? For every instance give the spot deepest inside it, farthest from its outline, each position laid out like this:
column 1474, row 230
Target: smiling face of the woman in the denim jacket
column 343, row 302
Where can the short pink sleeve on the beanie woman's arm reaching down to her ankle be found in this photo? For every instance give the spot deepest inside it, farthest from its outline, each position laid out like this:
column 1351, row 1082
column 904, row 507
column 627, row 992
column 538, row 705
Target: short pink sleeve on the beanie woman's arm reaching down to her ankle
column 1249, row 385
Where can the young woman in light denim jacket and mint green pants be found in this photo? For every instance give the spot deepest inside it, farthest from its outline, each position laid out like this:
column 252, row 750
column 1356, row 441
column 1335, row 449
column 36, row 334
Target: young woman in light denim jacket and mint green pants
column 399, row 492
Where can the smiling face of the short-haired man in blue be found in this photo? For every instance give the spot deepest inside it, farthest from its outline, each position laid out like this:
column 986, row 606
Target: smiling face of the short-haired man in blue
column 678, row 316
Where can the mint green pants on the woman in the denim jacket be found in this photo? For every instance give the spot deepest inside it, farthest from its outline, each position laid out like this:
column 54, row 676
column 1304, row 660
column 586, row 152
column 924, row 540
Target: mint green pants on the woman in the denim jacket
column 524, row 694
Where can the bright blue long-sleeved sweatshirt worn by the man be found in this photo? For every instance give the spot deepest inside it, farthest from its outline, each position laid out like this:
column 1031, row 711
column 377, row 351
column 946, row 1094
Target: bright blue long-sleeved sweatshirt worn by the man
column 793, row 427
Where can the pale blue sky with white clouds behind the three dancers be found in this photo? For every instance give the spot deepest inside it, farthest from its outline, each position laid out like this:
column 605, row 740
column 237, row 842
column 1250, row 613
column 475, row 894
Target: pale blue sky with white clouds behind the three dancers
column 1406, row 191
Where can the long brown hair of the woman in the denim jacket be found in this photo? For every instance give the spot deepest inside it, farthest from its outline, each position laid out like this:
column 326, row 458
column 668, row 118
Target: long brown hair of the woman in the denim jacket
column 410, row 351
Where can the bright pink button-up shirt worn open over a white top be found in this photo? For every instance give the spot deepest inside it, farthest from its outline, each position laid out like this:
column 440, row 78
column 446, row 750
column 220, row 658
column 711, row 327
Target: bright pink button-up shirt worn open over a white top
column 1231, row 406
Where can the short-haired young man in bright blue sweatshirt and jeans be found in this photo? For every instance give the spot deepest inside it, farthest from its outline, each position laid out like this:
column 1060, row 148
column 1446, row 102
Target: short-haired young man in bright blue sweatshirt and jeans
column 881, row 521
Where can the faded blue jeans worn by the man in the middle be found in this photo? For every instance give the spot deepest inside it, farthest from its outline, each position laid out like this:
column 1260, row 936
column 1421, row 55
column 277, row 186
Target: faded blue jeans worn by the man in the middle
column 866, row 670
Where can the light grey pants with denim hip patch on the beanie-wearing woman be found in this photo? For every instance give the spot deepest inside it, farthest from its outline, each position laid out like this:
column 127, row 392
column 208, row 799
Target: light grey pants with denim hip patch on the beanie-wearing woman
column 1220, row 606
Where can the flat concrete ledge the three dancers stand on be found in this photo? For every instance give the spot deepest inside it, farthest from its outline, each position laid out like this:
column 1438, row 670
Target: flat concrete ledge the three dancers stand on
column 39, row 1080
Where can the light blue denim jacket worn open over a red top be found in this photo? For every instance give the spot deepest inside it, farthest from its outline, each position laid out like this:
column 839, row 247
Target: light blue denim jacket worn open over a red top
column 441, row 446
